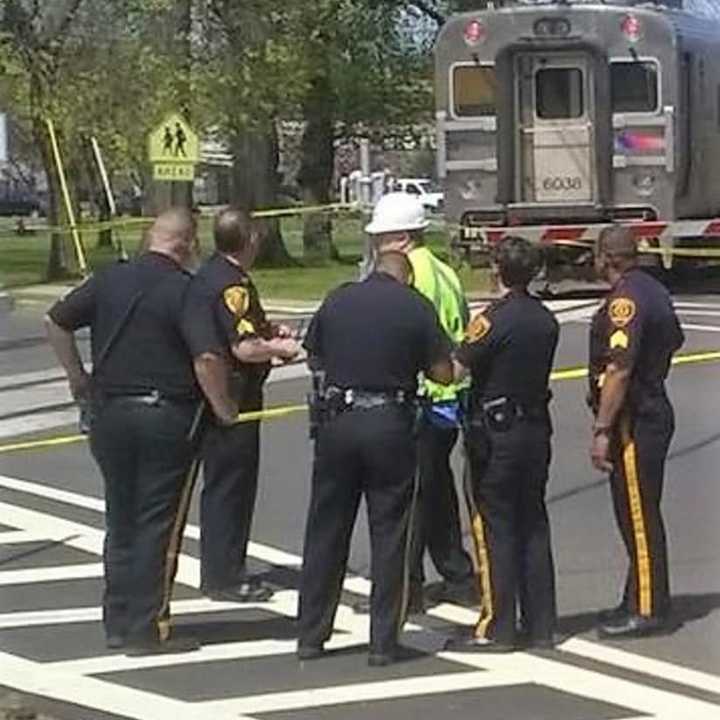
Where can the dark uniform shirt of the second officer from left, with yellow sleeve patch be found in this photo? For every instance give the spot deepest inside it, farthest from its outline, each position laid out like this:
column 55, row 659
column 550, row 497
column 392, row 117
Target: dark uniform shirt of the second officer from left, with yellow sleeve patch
column 224, row 305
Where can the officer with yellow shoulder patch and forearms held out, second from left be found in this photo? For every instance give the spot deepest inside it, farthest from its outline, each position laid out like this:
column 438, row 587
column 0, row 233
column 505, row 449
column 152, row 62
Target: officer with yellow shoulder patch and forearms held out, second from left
column 224, row 302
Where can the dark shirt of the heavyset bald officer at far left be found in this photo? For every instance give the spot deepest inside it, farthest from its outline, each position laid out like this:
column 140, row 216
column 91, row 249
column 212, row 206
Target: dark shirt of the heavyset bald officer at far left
column 150, row 352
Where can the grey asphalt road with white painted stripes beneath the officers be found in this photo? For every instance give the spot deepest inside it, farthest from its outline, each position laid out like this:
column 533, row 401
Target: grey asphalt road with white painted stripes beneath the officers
column 50, row 578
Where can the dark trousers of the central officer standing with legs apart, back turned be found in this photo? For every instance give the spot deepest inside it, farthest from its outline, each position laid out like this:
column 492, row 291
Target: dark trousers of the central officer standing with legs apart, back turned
column 370, row 453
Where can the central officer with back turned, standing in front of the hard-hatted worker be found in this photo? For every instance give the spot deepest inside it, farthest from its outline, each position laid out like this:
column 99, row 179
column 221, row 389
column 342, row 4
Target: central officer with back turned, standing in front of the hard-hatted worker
column 370, row 339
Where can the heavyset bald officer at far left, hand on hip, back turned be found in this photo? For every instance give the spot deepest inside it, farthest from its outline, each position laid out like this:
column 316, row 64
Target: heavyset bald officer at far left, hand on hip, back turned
column 145, row 404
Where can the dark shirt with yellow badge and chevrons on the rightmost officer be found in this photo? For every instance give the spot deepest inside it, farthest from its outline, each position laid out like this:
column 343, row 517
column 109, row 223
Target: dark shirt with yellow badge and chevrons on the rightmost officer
column 635, row 328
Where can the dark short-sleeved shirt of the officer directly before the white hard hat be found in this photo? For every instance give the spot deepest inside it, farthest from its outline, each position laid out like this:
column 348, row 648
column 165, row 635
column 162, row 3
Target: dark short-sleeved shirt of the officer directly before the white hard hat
column 376, row 335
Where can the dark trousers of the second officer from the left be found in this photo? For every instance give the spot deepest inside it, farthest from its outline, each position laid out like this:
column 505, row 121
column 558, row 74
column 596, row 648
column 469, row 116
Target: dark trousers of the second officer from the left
column 230, row 477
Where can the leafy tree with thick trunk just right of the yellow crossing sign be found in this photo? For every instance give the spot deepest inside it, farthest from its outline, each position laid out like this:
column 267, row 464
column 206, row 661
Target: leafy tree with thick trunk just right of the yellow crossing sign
column 253, row 76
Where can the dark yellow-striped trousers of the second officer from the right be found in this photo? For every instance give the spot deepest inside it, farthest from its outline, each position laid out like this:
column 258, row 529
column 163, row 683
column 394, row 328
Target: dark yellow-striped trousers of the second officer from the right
column 511, row 532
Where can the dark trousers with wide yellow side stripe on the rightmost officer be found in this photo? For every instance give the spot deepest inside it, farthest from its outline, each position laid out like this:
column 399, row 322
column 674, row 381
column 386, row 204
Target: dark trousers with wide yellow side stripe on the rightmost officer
column 639, row 453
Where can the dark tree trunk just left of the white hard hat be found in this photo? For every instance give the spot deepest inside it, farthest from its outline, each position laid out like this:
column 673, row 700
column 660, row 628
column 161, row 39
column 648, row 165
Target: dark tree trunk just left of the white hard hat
column 316, row 171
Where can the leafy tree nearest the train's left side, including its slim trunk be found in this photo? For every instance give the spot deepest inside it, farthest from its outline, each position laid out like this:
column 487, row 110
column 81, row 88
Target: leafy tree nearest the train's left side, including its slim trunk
column 367, row 73
